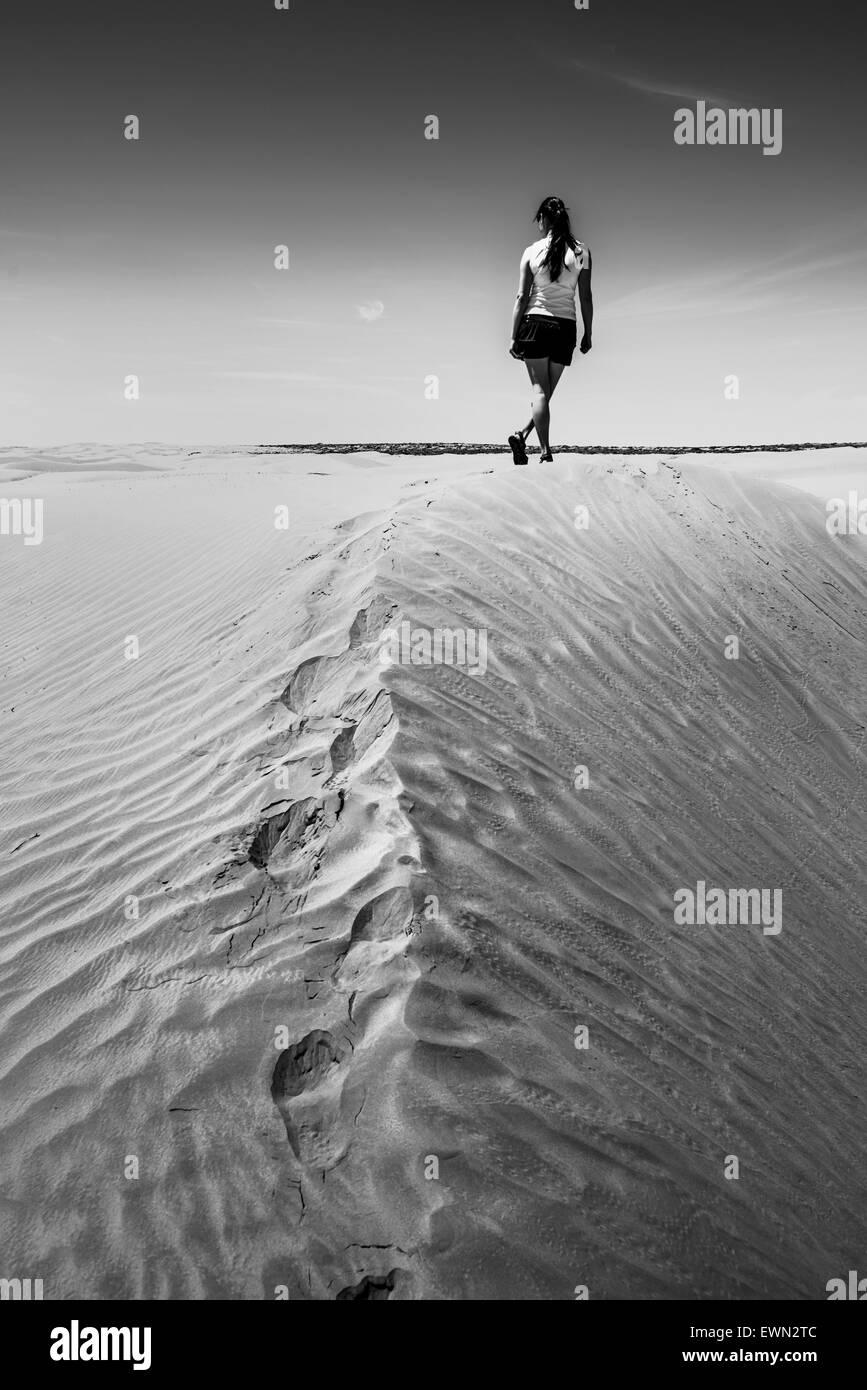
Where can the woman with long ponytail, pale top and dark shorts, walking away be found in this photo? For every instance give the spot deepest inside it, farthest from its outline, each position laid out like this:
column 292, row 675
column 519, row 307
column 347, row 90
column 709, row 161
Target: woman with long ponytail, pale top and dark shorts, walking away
column 544, row 326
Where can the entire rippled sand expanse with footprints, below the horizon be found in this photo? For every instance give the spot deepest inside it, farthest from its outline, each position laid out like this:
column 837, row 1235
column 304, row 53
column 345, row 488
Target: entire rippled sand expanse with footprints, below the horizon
column 340, row 1036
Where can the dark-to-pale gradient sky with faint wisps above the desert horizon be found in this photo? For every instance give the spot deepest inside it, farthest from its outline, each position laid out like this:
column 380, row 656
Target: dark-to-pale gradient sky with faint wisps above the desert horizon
column 306, row 127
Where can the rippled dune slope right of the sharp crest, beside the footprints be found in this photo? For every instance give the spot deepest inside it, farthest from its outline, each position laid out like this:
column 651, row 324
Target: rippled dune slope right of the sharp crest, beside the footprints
column 555, row 908
